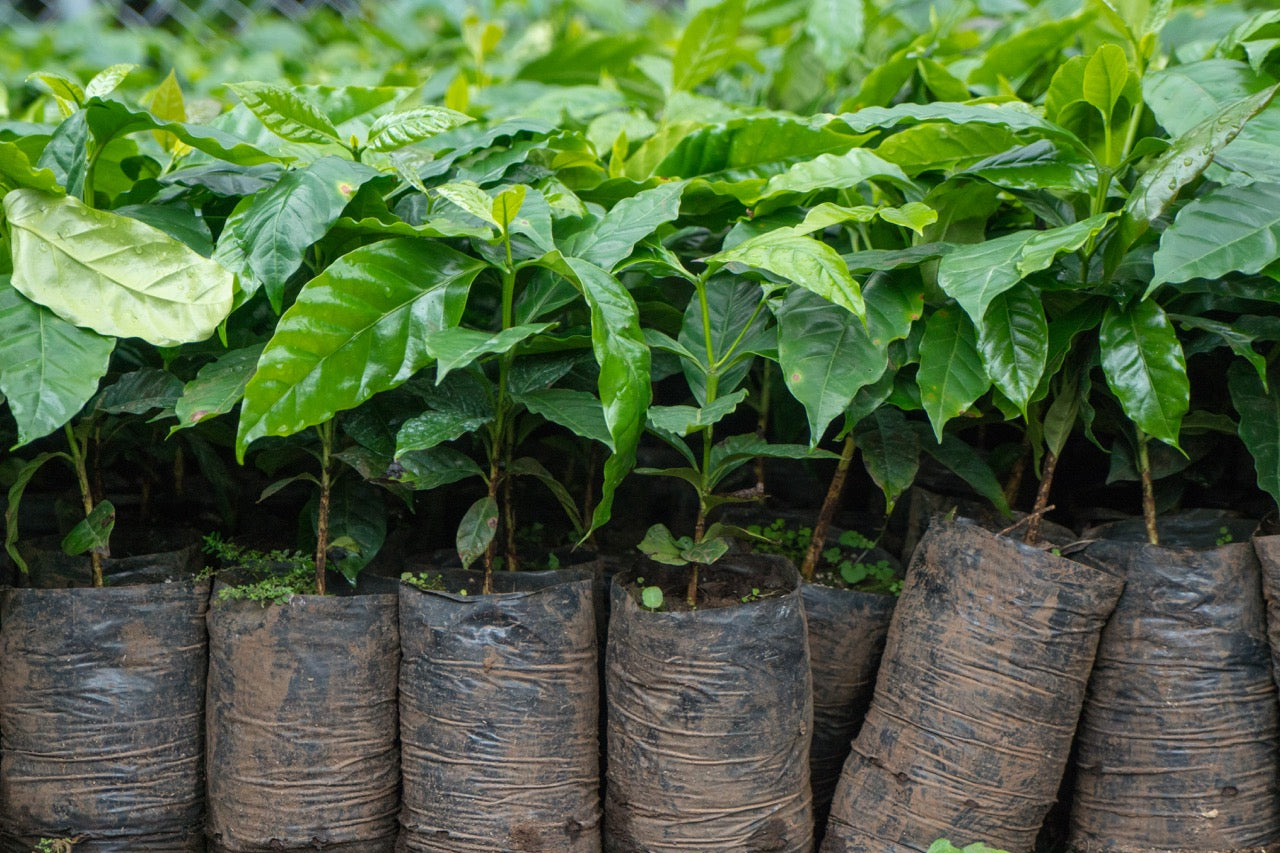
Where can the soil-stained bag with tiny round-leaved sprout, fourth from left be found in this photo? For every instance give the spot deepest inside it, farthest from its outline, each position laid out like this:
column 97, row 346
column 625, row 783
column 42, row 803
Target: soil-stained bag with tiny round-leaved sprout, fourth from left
column 711, row 714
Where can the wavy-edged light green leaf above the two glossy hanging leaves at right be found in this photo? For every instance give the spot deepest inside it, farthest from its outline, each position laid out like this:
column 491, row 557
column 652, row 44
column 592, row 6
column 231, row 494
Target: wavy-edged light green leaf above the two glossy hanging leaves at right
column 979, row 273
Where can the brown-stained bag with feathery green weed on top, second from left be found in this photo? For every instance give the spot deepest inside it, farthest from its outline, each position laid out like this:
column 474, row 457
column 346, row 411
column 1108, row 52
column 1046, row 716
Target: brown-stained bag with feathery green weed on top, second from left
column 303, row 724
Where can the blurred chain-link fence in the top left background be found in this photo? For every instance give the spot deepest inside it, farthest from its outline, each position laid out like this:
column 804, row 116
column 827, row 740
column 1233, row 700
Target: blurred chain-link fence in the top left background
column 194, row 16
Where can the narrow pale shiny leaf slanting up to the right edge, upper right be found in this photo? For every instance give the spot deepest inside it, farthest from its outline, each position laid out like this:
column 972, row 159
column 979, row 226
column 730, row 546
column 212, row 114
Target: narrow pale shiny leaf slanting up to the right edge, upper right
column 1186, row 161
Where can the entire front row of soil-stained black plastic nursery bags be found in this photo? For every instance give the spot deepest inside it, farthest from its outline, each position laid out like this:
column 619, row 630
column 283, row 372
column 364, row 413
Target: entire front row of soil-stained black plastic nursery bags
column 472, row 723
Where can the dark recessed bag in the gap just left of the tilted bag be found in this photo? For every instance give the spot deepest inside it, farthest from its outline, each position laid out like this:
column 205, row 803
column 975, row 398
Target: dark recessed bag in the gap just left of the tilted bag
column 847, row 640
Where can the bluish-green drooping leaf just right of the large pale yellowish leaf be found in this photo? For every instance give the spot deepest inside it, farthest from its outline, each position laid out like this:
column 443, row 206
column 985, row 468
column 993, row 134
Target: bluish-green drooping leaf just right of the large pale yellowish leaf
column 284, row 222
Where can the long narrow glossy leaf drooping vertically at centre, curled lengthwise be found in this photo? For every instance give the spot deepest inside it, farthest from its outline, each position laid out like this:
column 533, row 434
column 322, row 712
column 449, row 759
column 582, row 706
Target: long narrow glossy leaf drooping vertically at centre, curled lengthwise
column 624, row 382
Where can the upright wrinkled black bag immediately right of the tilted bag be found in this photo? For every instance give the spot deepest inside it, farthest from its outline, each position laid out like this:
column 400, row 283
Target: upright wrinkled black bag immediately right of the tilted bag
column 1178, row 747
